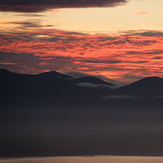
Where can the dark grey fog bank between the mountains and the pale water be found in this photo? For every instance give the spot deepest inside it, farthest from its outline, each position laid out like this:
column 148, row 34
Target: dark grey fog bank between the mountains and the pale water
column 58, row 131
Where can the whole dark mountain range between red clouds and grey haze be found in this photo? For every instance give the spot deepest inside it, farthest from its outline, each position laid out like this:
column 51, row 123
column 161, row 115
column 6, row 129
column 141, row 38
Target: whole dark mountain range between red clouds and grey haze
column 57, row 88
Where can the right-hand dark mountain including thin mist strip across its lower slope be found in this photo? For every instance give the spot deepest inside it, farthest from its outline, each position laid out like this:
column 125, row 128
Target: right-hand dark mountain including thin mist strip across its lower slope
column 146, row 92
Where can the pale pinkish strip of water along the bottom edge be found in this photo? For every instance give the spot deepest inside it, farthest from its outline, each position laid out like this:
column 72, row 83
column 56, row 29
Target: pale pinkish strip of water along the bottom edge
column 90, row 159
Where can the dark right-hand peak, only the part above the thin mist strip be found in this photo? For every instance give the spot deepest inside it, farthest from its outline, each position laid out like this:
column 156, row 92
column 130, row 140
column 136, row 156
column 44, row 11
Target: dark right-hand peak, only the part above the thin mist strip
column 149, row 86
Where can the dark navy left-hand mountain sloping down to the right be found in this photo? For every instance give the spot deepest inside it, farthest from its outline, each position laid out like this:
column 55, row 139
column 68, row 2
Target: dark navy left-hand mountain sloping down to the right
column 49, row 86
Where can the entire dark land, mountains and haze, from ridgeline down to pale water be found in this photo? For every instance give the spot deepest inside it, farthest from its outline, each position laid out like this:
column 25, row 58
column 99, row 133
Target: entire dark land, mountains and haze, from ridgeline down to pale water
column 52, row 114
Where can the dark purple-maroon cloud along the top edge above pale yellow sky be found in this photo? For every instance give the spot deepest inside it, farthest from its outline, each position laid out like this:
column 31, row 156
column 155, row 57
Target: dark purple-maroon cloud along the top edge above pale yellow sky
column 41, row 5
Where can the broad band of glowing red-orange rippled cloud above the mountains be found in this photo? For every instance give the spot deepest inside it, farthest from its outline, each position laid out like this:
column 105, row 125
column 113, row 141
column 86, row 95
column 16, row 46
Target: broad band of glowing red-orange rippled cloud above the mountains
column 125, row 57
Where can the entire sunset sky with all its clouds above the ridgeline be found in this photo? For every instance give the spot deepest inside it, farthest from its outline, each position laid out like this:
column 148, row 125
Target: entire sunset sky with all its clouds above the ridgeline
column 117, row 39
